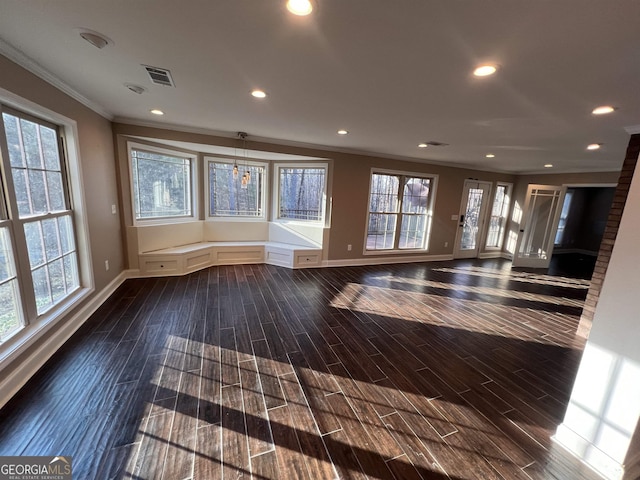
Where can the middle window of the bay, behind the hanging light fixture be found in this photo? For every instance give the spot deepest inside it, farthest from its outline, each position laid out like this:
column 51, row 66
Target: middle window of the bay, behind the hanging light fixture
column 236, row 194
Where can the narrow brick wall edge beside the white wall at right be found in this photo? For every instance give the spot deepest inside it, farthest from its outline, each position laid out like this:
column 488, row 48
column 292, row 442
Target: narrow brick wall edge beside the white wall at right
column 610, row 233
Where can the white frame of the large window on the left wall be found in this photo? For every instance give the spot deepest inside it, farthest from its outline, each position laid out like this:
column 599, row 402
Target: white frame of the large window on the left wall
column 36, row 326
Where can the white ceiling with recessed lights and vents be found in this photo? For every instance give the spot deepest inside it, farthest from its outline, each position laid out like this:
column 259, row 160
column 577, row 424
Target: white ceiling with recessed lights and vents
column 393, row 73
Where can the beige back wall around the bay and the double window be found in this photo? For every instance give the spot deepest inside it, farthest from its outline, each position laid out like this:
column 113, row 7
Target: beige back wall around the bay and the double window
column 348, row 189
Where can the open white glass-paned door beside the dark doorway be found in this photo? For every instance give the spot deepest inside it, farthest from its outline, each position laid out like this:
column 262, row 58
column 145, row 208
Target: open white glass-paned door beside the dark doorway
column 539, row 224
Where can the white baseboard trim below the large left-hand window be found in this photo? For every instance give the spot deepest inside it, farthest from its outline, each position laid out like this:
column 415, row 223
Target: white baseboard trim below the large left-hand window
column 23, row 369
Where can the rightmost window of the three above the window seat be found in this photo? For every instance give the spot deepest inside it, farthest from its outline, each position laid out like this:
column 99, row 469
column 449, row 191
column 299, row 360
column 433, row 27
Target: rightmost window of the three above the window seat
column 301, row 192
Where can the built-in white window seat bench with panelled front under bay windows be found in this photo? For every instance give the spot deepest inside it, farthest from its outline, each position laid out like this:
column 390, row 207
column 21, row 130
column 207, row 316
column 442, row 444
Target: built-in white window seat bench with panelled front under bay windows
column 180, row 254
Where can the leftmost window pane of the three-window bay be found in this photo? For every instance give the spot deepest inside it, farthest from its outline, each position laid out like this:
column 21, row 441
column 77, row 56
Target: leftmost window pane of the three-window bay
column 162, row 183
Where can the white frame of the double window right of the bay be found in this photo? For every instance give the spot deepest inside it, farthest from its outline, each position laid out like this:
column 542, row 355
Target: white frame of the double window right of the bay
column 433, row 187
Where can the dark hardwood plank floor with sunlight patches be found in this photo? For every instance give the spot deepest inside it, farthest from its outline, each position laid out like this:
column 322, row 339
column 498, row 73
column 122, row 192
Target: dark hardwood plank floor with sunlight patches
column 458, row 370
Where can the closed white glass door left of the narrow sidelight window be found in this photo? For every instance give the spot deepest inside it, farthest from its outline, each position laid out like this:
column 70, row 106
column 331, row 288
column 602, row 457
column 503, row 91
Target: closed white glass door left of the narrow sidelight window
column 473, row 212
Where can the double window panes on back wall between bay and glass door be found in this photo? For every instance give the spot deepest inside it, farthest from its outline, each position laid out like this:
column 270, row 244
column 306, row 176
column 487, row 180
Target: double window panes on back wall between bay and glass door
column 399, row 211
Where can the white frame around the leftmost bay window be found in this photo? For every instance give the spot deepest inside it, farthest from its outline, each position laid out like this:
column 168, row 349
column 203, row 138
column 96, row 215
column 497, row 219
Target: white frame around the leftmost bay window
column 194, row 185
